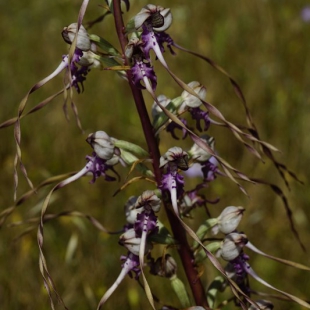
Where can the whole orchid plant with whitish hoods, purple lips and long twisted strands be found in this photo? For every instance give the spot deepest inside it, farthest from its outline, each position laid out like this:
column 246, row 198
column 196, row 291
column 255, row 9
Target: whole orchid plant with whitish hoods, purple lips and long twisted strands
column 189, row 116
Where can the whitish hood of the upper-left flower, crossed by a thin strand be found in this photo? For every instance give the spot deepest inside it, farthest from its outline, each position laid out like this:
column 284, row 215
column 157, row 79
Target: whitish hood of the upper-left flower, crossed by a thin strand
column 83, row 42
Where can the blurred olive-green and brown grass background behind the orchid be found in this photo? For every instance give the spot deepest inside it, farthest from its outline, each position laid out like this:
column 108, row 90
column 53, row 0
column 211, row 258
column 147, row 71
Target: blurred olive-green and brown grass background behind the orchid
column 264, row 45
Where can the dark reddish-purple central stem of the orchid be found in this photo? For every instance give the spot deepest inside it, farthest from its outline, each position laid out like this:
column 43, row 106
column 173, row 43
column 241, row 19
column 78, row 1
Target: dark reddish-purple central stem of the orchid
column 179, row 233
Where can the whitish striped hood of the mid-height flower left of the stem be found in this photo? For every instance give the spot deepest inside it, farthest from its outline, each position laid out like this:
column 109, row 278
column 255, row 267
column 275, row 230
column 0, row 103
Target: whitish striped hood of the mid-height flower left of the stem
column 102, row 144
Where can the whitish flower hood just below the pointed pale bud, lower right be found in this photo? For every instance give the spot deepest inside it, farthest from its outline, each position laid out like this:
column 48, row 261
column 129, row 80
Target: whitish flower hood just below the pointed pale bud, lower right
column 232, row 246
